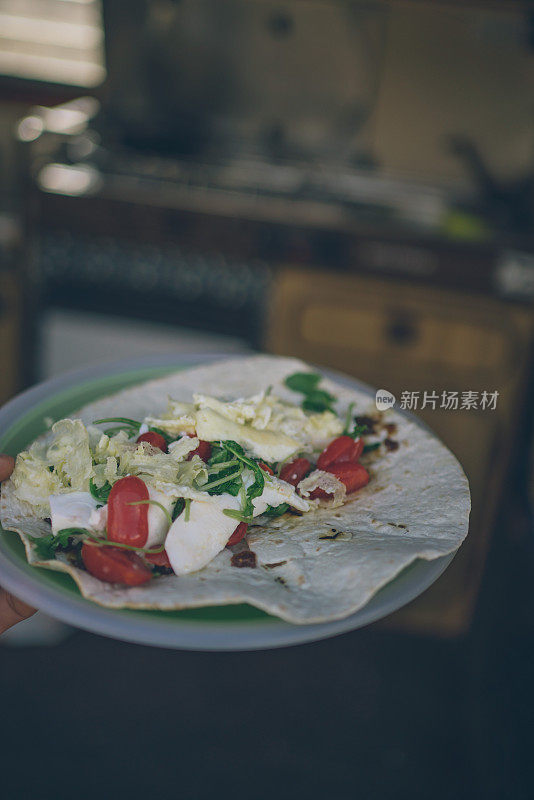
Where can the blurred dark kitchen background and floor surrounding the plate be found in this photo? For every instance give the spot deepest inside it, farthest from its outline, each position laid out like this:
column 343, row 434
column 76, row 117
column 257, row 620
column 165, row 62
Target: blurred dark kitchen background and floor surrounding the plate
column 349, row 182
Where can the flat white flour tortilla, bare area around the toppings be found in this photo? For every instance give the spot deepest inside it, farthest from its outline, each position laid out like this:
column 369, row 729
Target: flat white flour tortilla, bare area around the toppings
column 319, row 567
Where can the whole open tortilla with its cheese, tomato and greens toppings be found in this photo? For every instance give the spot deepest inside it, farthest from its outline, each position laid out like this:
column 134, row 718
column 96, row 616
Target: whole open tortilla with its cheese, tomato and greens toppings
column 251, row 480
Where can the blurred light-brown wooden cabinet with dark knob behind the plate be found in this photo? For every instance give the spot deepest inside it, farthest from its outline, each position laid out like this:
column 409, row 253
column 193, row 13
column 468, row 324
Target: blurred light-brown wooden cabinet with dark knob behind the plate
column 402, row 337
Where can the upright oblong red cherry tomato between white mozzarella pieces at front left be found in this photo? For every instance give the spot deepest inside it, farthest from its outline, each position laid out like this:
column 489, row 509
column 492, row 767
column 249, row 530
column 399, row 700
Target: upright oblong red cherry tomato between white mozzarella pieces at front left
column 128, row 524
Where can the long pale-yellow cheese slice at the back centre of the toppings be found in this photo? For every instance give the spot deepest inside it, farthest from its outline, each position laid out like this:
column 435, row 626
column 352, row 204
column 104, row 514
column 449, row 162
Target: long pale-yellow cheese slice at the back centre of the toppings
column 269, row 445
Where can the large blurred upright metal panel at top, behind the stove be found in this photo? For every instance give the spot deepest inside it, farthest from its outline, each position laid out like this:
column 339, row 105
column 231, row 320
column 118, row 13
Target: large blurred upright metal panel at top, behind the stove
column 279, row 78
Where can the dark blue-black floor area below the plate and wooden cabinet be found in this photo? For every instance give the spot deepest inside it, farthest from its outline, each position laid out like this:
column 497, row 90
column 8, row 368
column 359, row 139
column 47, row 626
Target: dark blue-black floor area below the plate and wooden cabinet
column 371, row 714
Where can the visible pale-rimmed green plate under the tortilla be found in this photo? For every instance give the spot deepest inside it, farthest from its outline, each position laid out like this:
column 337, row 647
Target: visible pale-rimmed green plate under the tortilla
column 230, row 627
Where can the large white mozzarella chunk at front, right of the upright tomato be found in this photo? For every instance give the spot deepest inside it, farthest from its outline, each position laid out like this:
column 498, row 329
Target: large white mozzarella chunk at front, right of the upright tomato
column 193, row 544
